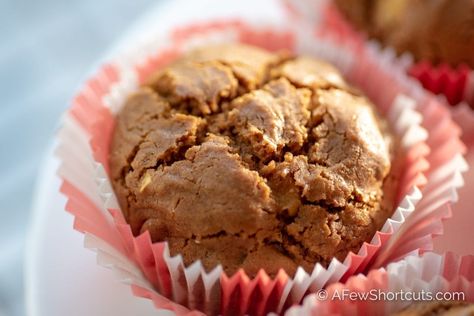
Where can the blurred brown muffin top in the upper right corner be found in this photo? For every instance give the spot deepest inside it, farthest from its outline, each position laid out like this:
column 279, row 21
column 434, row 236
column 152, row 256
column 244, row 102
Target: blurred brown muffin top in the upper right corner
column 436, row 31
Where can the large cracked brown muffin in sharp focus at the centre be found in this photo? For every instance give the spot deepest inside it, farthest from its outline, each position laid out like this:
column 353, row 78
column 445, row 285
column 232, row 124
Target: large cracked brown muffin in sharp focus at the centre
column 249, row 159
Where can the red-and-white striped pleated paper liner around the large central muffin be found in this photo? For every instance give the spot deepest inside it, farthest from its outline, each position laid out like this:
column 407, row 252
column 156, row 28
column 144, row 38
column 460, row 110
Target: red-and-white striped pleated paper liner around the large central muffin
column 432, row 164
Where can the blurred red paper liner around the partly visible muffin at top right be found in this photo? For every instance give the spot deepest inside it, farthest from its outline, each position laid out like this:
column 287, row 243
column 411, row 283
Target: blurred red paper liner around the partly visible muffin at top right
column 455, row 86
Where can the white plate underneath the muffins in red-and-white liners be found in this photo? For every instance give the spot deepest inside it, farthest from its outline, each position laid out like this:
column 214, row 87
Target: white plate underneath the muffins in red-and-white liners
column 62, row 277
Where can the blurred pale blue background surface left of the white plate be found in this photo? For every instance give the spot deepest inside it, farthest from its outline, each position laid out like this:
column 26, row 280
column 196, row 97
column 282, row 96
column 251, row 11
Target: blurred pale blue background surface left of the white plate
column 46, row 49
